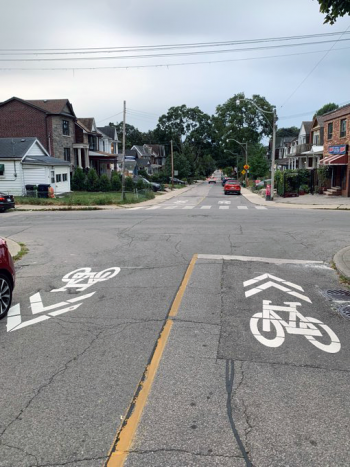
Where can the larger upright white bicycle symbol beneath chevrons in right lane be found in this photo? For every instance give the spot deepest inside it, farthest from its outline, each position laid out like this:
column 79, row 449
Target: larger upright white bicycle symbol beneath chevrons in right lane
column 306, row 326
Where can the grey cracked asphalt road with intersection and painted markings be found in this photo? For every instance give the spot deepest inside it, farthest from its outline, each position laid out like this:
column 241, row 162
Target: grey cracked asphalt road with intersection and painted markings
column 73, row 358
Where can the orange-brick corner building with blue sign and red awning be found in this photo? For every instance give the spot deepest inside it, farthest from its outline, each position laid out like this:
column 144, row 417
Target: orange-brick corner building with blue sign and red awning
column 336, row 149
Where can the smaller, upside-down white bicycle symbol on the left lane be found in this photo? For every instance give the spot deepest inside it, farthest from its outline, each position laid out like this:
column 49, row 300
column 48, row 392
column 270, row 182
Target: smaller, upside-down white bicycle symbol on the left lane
column 82, row 278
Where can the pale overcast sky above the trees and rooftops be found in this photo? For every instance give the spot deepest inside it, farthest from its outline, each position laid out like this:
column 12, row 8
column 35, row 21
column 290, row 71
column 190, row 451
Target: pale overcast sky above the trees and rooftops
column 149, row 92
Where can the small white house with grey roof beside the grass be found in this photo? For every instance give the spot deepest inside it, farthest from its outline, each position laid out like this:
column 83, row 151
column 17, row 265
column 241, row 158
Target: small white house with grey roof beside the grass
column 24, row 161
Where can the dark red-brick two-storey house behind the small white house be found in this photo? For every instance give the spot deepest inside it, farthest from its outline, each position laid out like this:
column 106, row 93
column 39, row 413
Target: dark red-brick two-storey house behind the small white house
column 52, row 121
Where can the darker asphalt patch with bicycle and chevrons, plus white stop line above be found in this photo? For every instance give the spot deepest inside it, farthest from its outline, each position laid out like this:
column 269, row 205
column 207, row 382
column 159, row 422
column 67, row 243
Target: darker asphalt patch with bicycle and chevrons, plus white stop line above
column 275, row 310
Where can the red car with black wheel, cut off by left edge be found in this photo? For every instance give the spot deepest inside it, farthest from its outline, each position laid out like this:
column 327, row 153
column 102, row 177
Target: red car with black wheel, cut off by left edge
column 7, row 278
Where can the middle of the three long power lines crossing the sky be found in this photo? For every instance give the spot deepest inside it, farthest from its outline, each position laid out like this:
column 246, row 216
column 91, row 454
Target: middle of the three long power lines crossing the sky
column 176, row 54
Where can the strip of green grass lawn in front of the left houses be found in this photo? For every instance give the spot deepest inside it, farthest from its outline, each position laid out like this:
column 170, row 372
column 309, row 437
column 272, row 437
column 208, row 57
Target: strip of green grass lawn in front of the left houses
column 85, row 198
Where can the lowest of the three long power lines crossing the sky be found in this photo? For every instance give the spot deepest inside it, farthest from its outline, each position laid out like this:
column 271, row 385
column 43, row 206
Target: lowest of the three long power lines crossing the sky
column 166, row 65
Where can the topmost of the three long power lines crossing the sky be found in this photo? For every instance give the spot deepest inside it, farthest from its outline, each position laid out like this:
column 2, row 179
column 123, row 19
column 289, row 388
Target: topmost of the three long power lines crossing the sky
column 78, row 50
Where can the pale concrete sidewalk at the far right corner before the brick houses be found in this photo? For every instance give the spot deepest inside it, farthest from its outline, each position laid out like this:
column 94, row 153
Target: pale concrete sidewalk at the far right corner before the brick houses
column 301, row 202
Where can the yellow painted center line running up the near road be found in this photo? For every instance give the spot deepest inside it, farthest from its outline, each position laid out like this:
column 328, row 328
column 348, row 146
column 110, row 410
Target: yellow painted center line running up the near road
column 126, row 434
